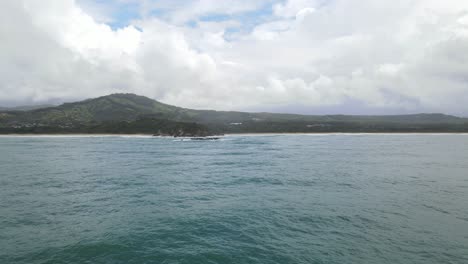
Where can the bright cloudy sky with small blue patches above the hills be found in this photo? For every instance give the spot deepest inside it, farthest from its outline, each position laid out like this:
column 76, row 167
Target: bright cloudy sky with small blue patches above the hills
column 305, row 56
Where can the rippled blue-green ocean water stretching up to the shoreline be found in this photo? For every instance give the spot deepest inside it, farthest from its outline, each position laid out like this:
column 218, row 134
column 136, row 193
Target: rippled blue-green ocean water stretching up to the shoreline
column 243, row 199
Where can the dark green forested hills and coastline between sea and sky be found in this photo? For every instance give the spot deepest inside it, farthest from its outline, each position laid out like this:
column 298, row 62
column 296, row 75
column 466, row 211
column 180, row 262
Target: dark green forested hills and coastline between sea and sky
column 103, row 113
